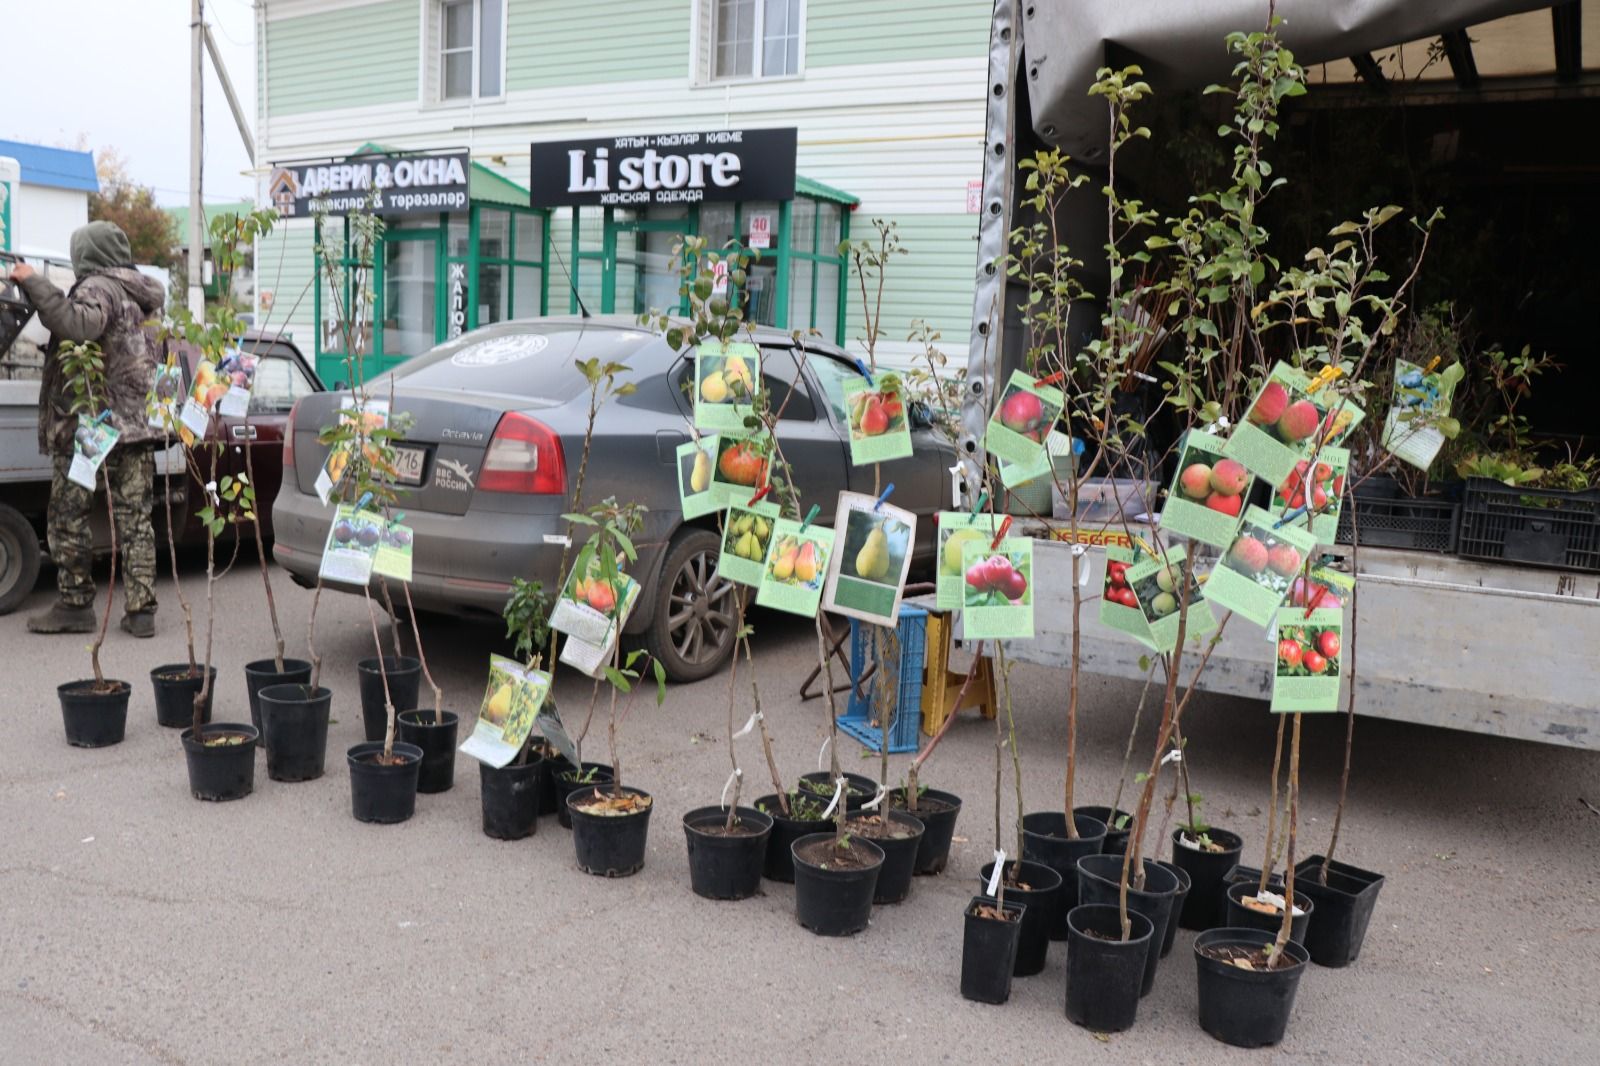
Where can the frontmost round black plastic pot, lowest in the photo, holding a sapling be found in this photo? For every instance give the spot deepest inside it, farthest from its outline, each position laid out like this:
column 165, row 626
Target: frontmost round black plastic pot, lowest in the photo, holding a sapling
column 1246, row 1008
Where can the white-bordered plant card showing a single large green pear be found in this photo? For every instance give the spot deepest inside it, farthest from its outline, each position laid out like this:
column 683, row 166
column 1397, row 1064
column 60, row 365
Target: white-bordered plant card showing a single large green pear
column 866, row 575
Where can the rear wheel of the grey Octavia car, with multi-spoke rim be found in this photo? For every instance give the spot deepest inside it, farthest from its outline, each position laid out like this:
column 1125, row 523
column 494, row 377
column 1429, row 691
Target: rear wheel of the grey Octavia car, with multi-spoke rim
column 694, row 619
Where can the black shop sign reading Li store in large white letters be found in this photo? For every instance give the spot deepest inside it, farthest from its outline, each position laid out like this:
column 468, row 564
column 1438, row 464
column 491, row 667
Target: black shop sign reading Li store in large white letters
column 665, row 169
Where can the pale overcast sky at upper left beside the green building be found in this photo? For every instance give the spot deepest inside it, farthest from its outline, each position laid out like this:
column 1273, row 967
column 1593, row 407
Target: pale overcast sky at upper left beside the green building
column 116, row 73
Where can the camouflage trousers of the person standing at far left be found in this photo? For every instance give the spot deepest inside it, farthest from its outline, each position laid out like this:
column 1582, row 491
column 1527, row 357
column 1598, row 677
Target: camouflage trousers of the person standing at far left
column 132, row 478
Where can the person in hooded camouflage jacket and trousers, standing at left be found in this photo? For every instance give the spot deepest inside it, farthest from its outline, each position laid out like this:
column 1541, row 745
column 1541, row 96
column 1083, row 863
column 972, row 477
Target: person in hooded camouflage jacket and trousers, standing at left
column 110, row 305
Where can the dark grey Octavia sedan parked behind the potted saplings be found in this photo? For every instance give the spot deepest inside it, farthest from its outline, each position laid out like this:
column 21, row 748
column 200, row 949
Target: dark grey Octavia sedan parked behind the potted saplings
column 492, row 457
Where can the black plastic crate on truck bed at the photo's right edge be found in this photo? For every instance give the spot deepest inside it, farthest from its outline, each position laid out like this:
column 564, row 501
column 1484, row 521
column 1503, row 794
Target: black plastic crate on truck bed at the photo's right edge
column 1540, row 527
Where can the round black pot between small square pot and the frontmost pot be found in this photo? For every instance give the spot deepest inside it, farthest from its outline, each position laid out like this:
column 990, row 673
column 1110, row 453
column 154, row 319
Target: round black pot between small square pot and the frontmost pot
column 1106, row 972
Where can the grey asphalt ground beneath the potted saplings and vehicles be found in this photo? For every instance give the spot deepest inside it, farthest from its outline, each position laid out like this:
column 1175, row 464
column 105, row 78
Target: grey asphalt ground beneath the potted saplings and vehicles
column 140, row 926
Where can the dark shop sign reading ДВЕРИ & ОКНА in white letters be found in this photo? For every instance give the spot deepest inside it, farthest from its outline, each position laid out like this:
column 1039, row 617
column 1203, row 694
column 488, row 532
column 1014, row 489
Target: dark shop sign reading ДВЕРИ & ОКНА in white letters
column 383, row 185
